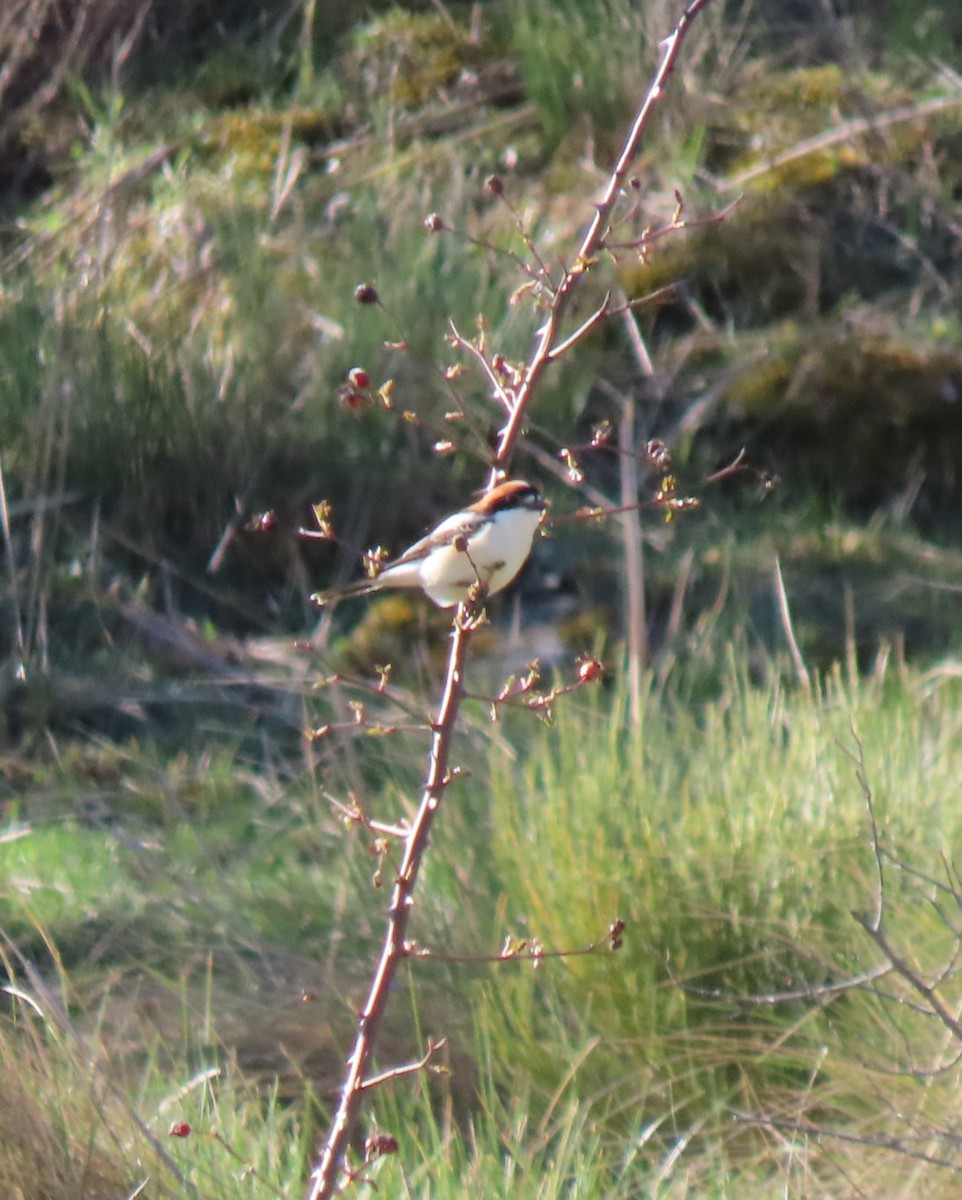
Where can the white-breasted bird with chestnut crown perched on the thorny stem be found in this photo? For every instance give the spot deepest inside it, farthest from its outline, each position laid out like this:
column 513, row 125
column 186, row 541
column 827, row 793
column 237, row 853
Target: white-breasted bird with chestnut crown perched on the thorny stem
column 486, row 545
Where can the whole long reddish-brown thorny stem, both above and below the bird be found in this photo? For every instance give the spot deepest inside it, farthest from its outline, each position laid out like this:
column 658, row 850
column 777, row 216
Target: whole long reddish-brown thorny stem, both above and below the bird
column 327, row 1177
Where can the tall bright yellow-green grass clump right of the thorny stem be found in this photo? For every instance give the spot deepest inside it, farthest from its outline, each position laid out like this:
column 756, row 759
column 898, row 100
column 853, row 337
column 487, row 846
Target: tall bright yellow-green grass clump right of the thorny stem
column 735, row 844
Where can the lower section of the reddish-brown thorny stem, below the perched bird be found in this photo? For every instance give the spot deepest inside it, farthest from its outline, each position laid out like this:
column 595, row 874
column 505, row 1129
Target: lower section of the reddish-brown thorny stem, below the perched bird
column 324, row 1179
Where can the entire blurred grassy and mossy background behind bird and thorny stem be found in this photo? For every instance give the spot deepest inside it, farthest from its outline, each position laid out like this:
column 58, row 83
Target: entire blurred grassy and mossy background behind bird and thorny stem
column 191, row 194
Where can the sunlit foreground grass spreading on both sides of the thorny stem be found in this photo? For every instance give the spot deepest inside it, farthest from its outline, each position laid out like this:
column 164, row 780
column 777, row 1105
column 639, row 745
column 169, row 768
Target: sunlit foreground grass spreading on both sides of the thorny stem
column 731, row 836
